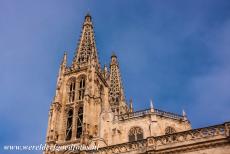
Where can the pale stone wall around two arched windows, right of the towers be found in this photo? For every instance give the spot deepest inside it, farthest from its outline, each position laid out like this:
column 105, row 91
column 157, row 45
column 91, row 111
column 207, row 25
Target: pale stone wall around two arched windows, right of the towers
column 115, row 129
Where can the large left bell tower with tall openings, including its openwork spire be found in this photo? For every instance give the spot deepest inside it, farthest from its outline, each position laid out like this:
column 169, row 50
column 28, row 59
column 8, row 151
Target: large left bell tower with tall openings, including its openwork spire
column 81, row 94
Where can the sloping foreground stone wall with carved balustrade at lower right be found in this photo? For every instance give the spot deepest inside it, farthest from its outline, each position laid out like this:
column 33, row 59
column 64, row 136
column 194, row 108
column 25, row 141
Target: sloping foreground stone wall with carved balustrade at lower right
column 213, row 139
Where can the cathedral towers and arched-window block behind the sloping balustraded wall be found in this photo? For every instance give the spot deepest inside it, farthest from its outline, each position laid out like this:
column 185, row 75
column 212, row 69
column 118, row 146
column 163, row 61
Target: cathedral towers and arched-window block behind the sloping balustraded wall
column 90, row 108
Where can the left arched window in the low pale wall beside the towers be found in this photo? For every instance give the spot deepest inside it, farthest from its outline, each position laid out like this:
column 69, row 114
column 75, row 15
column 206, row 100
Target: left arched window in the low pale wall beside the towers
column 135, row 134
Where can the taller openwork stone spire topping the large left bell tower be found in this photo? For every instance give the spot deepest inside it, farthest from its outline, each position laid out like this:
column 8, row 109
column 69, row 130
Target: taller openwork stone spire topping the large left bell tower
column 86, row 52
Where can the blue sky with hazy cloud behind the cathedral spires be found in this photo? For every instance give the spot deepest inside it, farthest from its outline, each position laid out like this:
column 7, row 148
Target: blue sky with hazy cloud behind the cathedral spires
column 175, row 52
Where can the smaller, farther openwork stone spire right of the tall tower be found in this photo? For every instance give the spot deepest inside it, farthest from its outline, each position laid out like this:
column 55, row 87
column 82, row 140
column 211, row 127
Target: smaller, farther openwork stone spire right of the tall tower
column 116, row 92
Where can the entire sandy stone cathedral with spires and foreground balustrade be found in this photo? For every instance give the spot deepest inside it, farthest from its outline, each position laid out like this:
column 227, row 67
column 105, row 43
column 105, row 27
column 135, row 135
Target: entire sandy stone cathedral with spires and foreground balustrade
column 89, row 108
